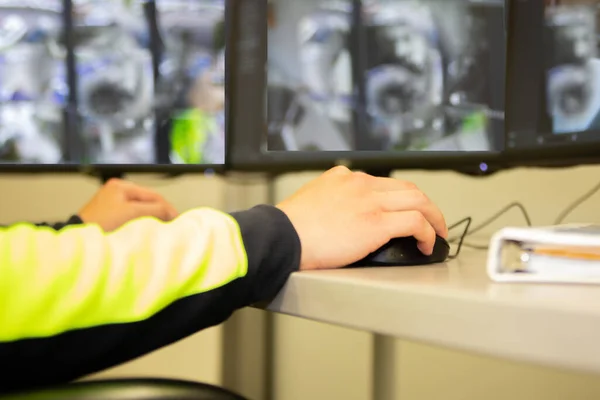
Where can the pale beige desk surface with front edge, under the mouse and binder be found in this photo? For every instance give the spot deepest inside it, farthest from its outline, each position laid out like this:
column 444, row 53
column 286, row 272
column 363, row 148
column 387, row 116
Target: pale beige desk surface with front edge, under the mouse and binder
column 455, row 305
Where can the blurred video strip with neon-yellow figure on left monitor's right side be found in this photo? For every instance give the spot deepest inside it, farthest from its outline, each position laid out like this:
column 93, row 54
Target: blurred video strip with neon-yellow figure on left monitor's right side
column 192, row 78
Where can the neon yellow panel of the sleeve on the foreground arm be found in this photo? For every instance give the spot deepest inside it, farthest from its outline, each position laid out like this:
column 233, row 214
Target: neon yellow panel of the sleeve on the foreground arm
column 80, row 277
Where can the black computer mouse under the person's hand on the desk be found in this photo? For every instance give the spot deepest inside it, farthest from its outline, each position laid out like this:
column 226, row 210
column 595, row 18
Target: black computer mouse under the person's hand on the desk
column 404, row 252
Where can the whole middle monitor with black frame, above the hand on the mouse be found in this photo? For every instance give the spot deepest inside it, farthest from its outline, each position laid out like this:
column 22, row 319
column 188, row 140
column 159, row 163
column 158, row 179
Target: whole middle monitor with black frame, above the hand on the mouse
column 378, row 83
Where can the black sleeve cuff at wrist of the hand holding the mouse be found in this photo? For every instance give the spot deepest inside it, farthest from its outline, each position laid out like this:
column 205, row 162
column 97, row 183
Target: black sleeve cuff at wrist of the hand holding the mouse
column 273, row 250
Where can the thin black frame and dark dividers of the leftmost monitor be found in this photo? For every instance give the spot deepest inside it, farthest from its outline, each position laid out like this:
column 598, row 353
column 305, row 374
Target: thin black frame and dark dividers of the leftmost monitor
column 72, row 120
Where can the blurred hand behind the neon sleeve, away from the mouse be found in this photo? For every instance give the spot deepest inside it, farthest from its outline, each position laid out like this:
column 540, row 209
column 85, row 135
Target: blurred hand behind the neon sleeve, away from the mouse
column 118, row 202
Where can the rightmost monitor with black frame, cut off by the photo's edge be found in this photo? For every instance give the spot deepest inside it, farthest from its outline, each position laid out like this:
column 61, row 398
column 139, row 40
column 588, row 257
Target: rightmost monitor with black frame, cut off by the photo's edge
column 553, row 91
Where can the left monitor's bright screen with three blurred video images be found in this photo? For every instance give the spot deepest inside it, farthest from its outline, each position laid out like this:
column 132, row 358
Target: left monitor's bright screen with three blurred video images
column 126, row 84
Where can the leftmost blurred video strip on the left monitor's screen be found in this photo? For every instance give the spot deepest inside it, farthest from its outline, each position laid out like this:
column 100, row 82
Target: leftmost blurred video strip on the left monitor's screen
column 32, row 85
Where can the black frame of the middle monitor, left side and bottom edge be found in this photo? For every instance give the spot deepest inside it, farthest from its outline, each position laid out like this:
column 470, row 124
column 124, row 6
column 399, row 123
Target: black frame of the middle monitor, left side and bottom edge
column 249, row 55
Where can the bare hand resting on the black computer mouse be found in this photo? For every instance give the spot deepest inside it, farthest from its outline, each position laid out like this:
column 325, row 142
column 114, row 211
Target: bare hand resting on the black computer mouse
column 342, row 216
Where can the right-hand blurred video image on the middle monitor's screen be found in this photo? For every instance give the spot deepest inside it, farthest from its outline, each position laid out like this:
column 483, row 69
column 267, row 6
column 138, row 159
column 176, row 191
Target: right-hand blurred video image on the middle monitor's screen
column 429, row 84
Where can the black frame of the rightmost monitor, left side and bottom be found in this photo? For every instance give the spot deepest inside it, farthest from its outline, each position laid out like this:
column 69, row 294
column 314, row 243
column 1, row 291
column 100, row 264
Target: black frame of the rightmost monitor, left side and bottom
column 526, row 119
